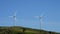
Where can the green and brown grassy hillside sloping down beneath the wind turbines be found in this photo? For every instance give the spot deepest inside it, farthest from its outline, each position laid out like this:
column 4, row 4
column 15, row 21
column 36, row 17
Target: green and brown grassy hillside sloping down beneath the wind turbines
column 23, row 30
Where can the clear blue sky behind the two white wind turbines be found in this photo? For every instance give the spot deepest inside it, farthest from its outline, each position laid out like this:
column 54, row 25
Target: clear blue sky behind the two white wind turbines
column 27, row 9
